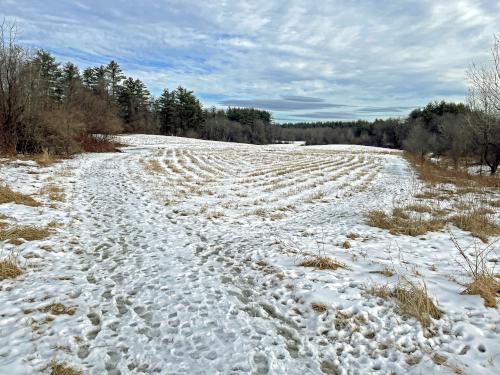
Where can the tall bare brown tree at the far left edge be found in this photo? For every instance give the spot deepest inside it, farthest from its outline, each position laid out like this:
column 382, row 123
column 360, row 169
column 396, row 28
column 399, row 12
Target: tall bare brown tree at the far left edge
column 13, row 93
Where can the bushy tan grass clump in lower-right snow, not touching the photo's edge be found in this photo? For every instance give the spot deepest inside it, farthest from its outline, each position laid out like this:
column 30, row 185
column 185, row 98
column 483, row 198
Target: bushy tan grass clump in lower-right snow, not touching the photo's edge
column 414, row 300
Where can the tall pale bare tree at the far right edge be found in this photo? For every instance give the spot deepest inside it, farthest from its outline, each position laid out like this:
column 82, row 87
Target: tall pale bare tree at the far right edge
column 484, row 101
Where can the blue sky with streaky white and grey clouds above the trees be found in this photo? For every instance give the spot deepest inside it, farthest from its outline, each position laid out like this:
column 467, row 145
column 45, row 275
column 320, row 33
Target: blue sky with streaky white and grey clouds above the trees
column 303, row 60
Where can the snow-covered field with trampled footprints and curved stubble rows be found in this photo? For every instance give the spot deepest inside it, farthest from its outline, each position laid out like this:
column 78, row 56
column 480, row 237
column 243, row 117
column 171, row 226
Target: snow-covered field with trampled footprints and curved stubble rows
column 182, row 256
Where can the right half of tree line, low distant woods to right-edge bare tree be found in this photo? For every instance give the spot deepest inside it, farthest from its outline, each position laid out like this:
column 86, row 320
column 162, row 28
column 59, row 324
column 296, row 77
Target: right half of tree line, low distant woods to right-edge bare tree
column 467, row 132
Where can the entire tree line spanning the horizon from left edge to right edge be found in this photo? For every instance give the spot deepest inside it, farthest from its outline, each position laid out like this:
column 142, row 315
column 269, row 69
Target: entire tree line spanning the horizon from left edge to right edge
column 46, row 105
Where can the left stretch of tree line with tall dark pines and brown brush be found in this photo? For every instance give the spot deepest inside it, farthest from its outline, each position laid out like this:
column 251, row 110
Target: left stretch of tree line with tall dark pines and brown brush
column 58, row 108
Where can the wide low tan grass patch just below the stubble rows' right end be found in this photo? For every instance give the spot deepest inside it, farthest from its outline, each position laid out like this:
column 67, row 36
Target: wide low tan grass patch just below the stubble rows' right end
column 401, row 223
